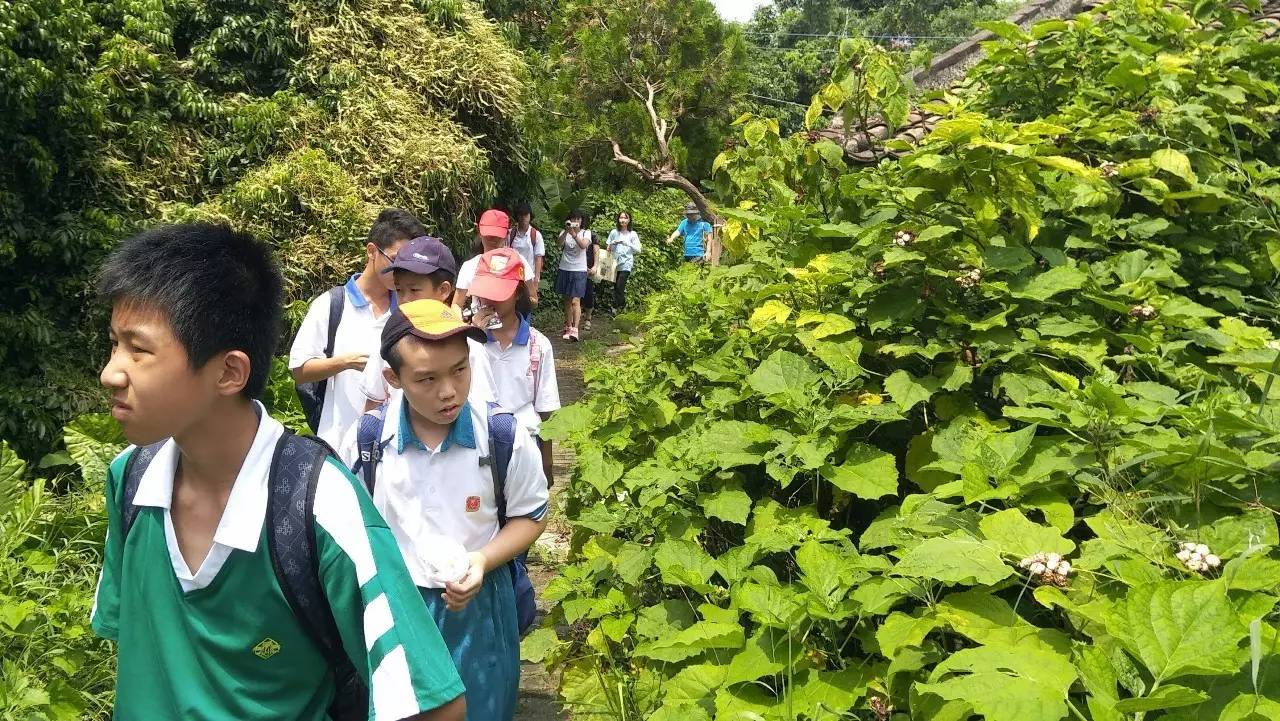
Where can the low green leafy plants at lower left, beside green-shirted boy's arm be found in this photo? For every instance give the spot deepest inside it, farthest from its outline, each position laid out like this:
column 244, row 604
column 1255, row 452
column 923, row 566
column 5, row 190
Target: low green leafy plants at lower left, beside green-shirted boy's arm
column 52, row 535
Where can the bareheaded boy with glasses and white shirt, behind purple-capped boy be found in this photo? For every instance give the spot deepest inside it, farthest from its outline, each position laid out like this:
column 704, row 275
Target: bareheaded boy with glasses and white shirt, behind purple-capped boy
column 332, row 346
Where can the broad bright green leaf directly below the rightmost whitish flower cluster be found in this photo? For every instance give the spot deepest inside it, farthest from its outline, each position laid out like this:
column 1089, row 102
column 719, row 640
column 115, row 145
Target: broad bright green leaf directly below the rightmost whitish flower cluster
column 1180, row 628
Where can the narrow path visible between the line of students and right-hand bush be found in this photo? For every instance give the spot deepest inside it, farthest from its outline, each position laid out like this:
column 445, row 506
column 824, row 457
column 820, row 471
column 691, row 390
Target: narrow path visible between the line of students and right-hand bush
column 537, row 688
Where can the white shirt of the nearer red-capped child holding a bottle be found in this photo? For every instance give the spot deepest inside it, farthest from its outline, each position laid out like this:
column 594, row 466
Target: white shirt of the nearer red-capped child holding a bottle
column 525, row 386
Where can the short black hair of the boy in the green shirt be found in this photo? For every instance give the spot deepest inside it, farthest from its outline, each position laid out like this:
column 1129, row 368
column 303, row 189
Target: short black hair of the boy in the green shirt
column 221, row 291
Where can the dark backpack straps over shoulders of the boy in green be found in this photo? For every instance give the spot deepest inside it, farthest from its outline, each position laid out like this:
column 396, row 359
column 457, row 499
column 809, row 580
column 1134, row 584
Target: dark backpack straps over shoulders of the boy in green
column 292, row 544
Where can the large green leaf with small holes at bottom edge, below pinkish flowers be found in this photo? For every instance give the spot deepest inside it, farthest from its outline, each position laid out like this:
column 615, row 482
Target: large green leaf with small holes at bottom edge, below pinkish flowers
column 1005, row 683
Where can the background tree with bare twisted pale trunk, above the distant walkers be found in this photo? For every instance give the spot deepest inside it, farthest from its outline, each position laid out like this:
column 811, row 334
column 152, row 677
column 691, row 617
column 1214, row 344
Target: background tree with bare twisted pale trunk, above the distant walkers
column 651, row 81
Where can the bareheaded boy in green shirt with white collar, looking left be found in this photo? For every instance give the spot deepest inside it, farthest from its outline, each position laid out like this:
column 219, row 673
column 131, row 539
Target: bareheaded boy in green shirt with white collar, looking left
column 190, row 591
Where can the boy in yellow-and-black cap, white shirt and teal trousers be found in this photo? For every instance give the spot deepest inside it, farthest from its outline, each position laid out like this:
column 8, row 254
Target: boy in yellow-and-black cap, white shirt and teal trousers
column 464, row 492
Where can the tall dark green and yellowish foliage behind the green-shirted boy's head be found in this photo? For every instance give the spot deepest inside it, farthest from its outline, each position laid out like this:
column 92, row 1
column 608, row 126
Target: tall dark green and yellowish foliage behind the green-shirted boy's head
column 295, row 121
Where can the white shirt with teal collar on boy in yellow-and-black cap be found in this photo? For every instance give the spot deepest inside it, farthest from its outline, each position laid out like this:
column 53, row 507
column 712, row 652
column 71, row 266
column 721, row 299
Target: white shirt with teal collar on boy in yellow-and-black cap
column 426, row 492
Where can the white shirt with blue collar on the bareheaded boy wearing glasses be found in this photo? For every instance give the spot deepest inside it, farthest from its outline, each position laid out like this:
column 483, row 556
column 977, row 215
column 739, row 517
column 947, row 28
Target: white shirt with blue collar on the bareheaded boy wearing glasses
column 358, row 332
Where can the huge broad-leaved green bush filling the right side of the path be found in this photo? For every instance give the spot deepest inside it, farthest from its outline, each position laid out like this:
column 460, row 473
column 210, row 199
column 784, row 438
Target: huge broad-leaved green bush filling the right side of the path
column 840, row 476
